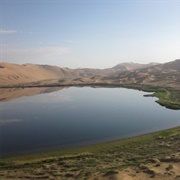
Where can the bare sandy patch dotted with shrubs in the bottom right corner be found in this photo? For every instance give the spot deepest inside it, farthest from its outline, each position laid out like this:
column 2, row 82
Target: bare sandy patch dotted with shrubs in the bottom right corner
column 162, row 170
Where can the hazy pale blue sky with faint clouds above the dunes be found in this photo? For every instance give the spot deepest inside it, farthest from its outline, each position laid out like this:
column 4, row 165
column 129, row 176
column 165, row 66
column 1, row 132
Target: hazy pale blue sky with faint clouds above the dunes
column 89, row 33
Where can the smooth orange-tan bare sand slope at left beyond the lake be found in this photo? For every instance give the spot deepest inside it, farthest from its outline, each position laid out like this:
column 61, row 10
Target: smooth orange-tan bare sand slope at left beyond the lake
column 11, row 74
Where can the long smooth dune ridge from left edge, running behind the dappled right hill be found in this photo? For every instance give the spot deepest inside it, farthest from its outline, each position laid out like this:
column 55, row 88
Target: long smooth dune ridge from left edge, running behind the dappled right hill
column 13, row 74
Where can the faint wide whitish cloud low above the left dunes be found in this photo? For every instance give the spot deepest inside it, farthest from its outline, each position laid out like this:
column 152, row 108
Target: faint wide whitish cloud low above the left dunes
column 32, row 55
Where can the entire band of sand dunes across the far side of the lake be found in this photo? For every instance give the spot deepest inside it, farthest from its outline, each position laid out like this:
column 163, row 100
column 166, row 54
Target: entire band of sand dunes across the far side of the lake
column 163, row 75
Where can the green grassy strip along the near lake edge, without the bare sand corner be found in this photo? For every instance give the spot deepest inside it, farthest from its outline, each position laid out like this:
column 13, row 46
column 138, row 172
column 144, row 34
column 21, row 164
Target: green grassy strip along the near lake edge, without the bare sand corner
column 81, row 163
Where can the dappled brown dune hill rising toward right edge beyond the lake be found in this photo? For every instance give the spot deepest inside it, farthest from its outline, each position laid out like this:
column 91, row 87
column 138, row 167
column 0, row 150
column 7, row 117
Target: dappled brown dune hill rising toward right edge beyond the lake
column 164, row 75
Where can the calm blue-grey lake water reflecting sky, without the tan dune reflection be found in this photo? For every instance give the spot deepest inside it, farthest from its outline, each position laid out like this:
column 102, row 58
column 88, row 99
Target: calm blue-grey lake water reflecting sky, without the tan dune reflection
column 78, row 116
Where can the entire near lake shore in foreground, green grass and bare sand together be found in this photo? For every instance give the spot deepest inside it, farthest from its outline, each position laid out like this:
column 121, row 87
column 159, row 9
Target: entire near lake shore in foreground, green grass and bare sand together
column 155, row 155
